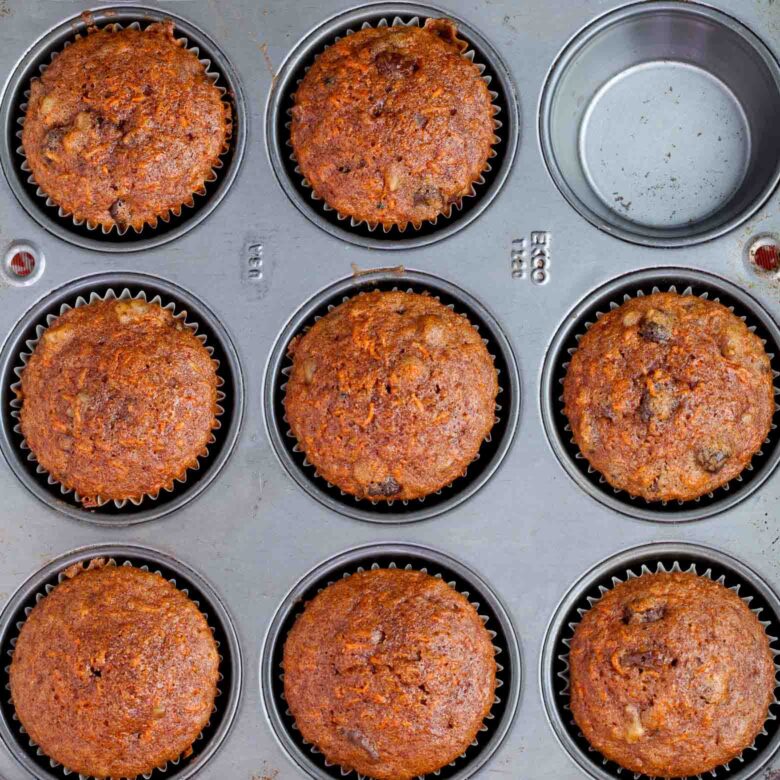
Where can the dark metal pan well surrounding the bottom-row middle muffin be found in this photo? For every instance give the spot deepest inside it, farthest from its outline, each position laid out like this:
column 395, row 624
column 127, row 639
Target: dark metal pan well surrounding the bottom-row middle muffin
column 394, row 555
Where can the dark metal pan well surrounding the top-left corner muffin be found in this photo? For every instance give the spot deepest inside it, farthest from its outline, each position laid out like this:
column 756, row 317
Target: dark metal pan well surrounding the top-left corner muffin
column 14, row 100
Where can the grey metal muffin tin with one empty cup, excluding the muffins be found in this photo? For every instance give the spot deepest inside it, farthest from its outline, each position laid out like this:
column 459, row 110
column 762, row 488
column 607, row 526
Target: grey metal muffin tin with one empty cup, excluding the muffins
column 545, row 254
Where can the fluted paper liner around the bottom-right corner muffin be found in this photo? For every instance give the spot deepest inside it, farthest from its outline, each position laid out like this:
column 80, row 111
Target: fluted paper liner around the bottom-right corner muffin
column 644, row 569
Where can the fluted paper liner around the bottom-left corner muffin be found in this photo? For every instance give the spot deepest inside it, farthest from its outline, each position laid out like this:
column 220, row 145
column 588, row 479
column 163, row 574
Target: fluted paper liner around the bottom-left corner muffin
column 66, row 574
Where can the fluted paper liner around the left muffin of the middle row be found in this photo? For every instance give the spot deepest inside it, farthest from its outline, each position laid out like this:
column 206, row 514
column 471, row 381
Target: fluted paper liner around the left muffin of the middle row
column 16, row 403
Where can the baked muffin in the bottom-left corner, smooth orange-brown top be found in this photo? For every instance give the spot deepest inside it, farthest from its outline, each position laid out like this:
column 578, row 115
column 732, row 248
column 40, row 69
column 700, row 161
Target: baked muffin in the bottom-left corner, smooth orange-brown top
column 114, row 672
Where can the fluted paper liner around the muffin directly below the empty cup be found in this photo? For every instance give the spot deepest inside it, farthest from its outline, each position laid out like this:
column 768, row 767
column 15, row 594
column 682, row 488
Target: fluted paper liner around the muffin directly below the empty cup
column 603, row 482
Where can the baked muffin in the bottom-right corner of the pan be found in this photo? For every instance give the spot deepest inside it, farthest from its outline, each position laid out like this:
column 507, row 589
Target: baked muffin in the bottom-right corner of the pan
column 671, row 675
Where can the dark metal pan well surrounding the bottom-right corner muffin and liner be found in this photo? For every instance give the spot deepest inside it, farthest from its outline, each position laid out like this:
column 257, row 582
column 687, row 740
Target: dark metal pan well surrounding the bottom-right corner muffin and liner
column 662, row 556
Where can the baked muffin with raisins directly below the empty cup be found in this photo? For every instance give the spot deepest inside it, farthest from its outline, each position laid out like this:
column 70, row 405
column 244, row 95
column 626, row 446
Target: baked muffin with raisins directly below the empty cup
column 669, row 396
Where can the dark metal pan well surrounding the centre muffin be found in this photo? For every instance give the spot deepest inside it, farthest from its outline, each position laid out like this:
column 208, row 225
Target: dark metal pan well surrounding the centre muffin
column 493, row 449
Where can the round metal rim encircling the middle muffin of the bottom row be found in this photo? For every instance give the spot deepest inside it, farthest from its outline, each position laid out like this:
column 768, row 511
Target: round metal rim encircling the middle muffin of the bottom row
column 352, row 557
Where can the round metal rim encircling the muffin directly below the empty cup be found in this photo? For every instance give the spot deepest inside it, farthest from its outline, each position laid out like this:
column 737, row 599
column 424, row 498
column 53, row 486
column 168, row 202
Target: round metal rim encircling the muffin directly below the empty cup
column 574, row 322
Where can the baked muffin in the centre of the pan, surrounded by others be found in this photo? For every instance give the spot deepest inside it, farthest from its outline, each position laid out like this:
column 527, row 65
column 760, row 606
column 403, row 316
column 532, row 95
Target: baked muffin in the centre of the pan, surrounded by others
column 391, row 395
